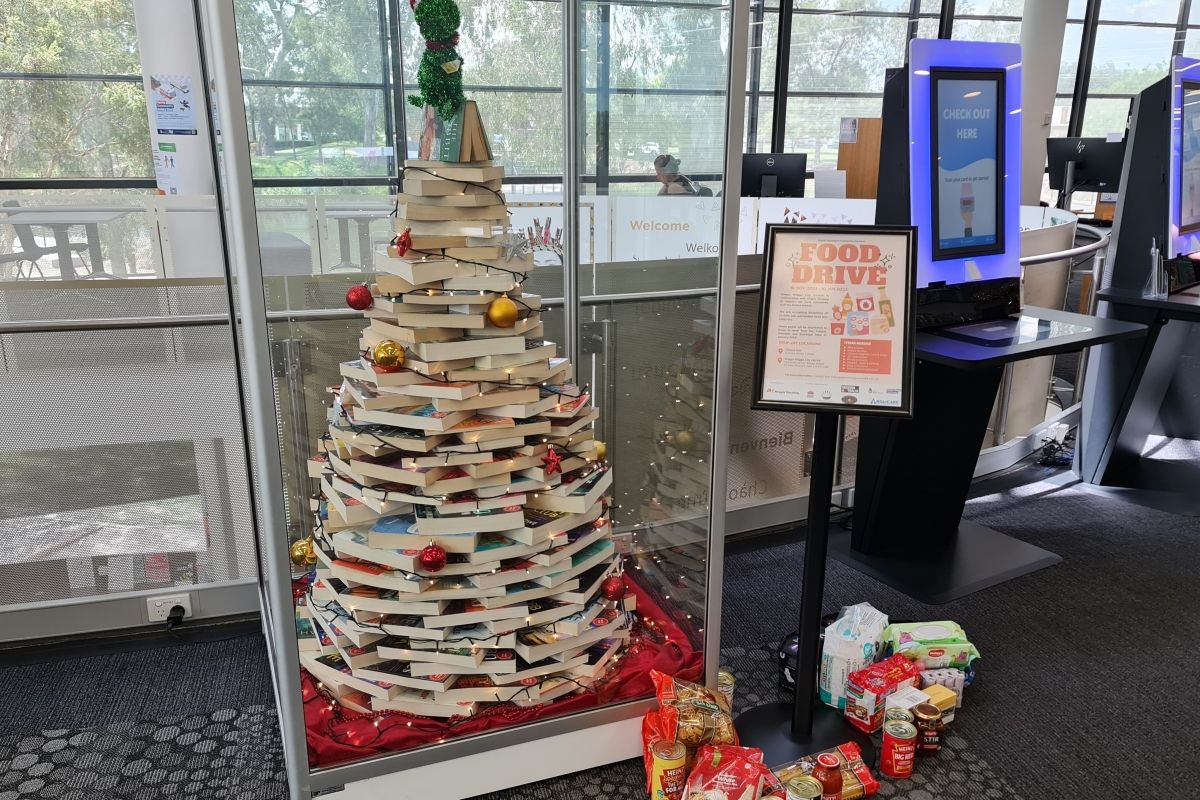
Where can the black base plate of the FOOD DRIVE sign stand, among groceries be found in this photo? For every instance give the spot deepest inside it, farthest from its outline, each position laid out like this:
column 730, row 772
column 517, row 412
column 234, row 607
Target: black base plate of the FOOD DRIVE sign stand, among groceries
column 770, row 729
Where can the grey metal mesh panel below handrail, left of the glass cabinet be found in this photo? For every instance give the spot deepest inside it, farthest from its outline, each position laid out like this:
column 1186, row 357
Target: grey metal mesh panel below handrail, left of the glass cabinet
column 124, row 458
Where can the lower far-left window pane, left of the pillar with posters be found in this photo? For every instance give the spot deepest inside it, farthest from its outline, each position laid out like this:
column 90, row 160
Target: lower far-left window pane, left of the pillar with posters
column 74, row 129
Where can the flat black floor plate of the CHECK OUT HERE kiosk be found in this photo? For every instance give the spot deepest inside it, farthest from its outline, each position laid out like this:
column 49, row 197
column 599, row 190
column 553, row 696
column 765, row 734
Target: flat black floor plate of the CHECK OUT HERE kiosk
column 976, row 560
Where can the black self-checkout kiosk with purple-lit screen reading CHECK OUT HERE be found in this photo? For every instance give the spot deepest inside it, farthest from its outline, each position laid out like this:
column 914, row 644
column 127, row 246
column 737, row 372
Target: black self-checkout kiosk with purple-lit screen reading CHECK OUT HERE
column 951, row 166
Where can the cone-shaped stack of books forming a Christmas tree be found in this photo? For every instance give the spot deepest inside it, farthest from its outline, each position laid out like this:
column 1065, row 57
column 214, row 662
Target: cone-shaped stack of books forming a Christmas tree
column 464, row 543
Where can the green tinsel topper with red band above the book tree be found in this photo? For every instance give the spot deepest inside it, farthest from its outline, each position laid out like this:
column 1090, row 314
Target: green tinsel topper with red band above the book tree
column 440, row 77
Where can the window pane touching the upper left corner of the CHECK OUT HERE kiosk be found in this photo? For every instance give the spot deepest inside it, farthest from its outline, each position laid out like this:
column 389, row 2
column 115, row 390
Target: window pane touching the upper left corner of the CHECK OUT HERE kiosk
column 844, row 52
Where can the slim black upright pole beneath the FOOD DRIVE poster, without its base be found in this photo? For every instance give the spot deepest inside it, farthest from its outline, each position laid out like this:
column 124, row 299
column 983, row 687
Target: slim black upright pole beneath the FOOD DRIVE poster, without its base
column 825, row 449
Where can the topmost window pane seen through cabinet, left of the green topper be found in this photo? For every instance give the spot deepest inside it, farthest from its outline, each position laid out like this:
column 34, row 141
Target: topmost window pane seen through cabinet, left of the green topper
column 310, row 40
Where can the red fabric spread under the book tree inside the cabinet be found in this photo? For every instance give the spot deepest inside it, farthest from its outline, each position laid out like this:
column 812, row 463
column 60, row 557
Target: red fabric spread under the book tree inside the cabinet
column 338, row 735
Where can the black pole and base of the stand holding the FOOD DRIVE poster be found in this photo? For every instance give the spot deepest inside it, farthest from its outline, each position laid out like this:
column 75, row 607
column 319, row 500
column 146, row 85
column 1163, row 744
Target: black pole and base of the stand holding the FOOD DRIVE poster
column 787, row 731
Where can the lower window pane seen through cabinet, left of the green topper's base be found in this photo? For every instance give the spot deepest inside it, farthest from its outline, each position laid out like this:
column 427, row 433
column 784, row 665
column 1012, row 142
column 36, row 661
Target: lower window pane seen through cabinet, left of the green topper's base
column 317, row 133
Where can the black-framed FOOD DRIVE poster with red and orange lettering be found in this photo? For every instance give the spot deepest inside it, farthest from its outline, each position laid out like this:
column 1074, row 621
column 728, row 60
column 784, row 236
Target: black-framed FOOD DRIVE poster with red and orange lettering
column 836, row 328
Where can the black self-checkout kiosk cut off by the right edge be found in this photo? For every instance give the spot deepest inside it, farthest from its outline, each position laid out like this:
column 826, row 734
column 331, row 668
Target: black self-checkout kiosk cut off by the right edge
column 1136, row 389
